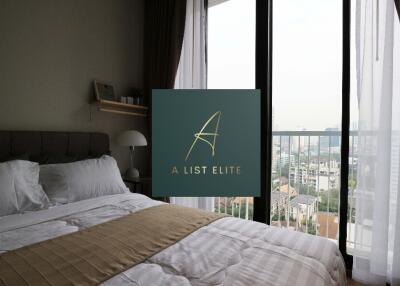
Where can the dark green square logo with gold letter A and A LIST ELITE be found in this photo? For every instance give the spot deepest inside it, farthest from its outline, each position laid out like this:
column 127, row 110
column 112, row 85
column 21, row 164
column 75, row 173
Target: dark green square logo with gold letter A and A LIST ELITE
column 206, row 143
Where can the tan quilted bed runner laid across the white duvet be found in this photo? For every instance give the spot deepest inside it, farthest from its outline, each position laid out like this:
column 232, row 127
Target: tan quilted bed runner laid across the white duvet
column 96, row 254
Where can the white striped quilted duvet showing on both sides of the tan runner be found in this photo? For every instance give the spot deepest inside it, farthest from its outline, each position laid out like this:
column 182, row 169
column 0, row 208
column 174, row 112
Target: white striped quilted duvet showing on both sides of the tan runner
column 229, row 251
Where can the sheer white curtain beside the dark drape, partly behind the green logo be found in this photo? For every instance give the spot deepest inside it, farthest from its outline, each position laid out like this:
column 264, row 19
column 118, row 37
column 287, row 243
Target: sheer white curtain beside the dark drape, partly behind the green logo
column 192, row 73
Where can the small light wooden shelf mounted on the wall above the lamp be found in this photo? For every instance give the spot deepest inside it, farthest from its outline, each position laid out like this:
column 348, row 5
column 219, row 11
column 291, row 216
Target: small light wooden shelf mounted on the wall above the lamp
column 121, row 108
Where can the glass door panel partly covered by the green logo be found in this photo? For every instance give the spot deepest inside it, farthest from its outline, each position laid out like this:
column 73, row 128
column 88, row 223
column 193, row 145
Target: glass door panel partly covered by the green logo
column 231, row 65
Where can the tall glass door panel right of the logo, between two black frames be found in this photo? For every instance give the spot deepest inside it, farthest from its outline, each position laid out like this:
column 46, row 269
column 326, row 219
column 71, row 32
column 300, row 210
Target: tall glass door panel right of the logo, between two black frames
column 306, row 103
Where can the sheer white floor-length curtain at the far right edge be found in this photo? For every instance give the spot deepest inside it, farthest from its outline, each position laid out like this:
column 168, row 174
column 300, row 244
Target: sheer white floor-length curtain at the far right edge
column 377, row 241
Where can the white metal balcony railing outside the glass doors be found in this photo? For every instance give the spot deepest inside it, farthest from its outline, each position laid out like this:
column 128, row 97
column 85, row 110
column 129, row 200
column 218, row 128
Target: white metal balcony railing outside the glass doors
column 305, row 185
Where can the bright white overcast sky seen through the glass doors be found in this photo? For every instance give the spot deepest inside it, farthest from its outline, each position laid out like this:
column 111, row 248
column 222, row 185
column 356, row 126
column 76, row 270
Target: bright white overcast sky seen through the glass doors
column 307, row 59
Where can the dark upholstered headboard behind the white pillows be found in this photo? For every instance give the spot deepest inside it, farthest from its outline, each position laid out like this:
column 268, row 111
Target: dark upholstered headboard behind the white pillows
column 52, row 147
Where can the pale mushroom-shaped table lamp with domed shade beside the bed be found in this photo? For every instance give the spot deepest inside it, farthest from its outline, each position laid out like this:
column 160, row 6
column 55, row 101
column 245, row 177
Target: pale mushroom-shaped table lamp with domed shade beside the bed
column 132, row 138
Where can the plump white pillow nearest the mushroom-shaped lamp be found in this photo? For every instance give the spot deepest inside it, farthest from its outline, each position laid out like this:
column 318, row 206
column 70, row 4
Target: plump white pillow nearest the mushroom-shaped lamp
column 71, row 182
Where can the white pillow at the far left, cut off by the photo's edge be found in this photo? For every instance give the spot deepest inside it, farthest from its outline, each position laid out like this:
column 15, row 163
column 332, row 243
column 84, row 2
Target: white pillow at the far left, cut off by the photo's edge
column 24, row 176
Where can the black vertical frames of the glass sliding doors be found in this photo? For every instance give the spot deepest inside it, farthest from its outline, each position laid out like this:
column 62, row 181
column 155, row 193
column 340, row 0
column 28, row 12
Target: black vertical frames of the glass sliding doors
column 263, row 66
